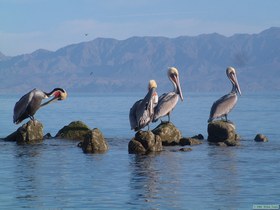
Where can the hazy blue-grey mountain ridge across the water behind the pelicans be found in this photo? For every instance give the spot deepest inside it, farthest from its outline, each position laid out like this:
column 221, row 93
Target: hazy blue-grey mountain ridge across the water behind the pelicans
column 126, row 65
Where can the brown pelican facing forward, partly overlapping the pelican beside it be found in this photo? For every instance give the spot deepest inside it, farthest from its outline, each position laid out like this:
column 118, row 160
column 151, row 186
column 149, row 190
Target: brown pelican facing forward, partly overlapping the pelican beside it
column 141, row 113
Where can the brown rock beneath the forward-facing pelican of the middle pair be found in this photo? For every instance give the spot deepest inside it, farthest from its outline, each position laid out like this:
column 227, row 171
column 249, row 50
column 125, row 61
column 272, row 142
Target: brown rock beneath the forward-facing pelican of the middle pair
column 144, row 142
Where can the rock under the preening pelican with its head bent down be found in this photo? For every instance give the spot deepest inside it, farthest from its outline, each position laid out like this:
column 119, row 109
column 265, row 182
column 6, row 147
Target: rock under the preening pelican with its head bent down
column 30, row 132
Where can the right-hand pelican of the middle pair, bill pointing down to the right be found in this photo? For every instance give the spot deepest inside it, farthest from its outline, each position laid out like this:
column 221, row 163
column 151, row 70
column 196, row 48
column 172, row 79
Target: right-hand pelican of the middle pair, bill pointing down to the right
column 168, row 101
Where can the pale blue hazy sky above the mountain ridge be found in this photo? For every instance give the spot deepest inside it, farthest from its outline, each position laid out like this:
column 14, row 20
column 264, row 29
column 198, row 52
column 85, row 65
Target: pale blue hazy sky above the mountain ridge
column 28, row 25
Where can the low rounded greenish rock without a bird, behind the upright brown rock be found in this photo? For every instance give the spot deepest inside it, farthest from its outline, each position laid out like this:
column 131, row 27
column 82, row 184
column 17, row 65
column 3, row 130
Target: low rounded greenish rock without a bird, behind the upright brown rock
column 76, row 130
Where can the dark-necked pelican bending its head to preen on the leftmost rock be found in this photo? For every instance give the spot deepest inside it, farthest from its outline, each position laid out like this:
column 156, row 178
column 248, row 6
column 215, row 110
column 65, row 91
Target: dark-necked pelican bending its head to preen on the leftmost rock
column 31, row 102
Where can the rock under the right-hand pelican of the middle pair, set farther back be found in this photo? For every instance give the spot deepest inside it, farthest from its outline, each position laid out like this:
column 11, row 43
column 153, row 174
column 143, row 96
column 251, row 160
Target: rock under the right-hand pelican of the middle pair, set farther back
column 169, row 134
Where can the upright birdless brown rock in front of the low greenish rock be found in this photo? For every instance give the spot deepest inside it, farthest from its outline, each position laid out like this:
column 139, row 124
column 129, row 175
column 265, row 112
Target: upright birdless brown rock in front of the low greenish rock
column 94, row 142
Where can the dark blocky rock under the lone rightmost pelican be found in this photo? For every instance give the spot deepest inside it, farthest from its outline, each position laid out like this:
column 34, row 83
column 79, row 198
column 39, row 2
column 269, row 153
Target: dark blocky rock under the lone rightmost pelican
column 222, row 131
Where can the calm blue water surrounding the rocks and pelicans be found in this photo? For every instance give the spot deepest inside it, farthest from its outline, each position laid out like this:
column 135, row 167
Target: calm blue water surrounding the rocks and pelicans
column 58, row 175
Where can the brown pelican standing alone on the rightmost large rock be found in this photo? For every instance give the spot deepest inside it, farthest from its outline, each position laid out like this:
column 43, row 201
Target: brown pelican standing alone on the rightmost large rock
column 225, row 104
